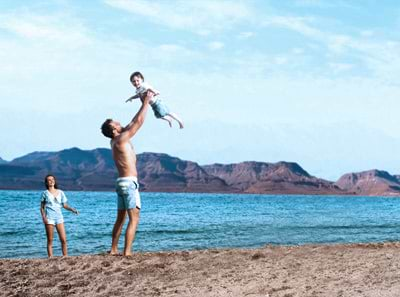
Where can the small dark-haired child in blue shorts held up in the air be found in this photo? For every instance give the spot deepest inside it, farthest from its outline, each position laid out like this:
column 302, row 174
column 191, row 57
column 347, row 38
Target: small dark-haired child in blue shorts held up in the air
column 161, row 111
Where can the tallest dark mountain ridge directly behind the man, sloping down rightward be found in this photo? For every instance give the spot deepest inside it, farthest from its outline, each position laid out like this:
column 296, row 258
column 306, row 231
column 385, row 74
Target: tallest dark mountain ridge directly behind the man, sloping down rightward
column 78, row 169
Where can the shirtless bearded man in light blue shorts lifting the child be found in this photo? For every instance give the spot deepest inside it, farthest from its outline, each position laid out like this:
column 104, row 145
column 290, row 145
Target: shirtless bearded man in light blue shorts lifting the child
column 127, row 185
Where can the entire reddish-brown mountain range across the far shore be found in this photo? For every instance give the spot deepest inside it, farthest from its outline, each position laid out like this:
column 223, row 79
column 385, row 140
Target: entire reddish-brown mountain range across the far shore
column 94, row 170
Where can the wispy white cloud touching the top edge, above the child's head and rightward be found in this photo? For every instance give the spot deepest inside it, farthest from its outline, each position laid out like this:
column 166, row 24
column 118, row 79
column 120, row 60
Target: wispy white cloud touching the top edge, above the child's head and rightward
column 201, row 17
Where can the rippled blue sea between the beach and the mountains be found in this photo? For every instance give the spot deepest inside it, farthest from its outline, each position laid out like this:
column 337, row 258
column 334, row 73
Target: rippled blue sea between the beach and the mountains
column 198, row 221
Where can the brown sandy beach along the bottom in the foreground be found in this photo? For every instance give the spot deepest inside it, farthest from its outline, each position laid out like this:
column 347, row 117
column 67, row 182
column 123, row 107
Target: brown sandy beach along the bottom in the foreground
column 311, row 270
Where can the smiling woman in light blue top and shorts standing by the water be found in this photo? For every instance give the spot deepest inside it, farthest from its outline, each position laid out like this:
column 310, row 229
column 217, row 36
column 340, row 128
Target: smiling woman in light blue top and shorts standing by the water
column 51, row 202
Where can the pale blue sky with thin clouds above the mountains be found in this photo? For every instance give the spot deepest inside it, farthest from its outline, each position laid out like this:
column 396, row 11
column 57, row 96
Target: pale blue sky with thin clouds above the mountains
column 309, row 81
